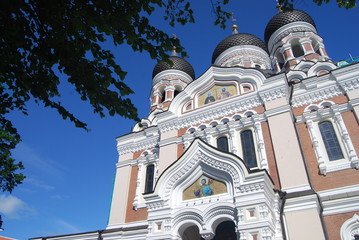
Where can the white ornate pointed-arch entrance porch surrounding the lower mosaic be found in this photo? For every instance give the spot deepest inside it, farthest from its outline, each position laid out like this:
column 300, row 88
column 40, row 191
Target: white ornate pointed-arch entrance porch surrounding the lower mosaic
column 166, row 204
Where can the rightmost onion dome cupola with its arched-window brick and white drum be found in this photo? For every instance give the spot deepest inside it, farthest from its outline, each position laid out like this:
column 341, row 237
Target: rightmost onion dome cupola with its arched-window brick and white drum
column 291, row 37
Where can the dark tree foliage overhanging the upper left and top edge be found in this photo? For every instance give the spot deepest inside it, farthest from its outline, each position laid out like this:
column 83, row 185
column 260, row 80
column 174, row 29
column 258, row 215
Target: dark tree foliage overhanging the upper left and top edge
column 40, row 39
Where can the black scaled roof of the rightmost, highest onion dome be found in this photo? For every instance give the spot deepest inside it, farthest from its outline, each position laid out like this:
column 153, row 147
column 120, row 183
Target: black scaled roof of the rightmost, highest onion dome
column 284, row 18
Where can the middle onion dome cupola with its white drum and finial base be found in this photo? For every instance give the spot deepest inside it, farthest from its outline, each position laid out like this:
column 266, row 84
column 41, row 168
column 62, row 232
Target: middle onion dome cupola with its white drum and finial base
column 241, row 49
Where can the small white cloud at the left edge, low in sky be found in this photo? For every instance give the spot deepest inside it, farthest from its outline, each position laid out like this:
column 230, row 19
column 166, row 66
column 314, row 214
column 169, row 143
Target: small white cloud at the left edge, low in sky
column 13, row 207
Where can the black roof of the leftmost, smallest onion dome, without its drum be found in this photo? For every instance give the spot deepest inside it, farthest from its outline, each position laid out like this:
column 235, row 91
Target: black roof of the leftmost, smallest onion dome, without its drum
column 178, row 64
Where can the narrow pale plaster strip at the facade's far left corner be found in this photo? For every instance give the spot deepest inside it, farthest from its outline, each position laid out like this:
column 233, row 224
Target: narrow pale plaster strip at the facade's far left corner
column 120, row 196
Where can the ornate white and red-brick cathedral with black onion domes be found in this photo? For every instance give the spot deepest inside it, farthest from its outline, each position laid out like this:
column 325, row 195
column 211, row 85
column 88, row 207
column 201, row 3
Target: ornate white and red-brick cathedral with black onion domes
column 263, row 145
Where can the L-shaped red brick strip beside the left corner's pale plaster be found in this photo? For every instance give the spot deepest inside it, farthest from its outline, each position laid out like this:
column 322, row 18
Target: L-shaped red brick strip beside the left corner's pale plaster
column 131, row 214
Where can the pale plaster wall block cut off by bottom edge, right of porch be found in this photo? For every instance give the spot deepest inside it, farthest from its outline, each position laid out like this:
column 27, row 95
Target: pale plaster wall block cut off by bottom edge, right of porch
column 304, row 224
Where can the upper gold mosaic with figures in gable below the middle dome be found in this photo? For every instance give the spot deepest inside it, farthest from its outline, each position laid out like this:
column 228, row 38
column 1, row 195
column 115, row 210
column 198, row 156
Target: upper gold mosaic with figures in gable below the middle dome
column 217, row 92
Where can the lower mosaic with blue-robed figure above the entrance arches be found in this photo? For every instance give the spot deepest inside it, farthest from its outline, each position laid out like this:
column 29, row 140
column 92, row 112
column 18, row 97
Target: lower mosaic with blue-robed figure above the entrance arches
column 204, row 186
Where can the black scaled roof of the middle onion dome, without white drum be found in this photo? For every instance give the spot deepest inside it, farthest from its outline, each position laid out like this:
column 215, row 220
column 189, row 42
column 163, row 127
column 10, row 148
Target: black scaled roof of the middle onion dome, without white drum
column 237, row 40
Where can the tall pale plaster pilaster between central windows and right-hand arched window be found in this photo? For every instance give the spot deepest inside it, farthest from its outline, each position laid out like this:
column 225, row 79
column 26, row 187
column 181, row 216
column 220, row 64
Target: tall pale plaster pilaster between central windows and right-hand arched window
column 287, row 152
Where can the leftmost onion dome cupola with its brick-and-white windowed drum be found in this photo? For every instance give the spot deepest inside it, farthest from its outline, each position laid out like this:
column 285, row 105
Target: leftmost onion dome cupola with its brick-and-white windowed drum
column 169, row 79
